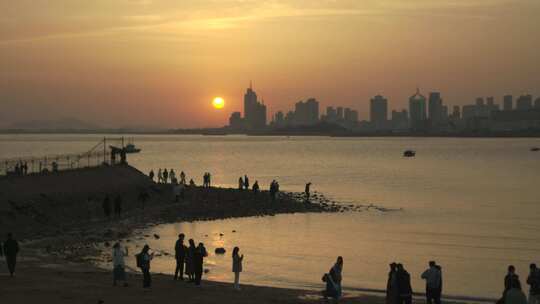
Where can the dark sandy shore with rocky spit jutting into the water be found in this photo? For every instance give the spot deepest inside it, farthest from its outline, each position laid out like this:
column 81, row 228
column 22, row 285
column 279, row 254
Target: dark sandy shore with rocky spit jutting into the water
column 60, row 227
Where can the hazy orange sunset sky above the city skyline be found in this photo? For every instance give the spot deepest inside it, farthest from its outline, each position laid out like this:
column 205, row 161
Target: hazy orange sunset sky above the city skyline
column 160, row 62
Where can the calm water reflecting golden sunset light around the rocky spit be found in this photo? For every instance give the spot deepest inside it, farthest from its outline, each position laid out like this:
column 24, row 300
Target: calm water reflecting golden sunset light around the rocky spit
column 471, row 204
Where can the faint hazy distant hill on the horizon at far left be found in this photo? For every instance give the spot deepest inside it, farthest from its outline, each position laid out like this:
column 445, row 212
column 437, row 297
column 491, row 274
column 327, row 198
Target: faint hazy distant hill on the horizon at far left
column 60, row 124
